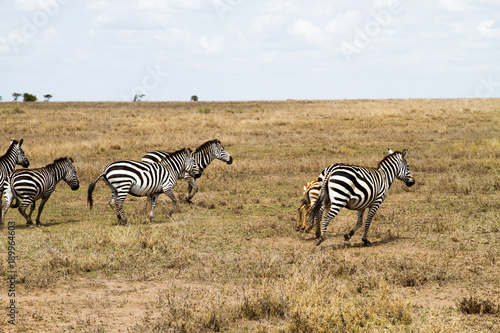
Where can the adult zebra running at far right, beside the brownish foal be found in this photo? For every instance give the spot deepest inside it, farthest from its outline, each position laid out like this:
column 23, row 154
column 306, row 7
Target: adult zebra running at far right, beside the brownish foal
column 358, row 188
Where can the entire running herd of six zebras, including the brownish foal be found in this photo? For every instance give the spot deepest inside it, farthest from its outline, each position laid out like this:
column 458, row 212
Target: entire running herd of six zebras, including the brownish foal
column 339, row 185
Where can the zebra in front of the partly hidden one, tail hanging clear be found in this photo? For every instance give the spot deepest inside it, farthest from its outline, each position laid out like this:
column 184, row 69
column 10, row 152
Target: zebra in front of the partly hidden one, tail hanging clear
column 144, row 179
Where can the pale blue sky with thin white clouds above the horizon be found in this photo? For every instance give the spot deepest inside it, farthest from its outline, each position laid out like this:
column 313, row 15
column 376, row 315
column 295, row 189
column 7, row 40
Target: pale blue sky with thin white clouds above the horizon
column 221, row 50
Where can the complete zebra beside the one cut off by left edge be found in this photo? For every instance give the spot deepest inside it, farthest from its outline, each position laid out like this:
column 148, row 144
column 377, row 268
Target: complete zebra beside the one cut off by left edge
column 27, row 186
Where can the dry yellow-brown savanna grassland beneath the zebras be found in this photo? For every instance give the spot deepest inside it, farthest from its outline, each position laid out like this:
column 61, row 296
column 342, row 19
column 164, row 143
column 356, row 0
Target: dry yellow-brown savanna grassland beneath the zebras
column 232, row 261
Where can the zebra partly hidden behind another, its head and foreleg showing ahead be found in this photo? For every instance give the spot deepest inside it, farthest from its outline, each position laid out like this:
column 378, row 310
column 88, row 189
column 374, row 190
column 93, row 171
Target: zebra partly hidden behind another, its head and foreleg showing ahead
column 203, row 155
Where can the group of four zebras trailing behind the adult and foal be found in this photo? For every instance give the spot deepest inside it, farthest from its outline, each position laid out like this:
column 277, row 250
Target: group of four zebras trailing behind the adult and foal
column 157, row 173
